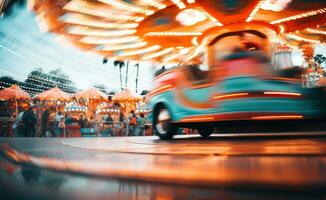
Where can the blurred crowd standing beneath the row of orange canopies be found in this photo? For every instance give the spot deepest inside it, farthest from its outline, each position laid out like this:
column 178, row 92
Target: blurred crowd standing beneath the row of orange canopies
column 48, row 123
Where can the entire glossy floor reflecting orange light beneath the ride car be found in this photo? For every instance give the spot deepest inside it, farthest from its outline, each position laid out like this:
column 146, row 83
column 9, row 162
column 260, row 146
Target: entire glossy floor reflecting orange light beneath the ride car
column 224, row 166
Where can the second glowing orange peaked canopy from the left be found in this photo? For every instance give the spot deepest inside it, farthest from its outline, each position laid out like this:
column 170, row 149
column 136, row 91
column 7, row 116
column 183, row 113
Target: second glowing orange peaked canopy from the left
column 54, row 94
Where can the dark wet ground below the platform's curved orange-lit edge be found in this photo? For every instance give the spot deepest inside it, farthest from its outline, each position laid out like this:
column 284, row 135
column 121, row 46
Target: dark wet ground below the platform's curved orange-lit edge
column 26, row 182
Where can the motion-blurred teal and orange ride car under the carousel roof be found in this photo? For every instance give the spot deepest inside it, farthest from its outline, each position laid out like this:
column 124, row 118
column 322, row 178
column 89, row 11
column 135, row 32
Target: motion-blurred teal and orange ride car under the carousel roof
column 239, row 90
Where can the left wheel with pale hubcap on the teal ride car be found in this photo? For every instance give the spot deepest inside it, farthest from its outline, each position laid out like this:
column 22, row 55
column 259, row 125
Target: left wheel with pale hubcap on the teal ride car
column 162, row 124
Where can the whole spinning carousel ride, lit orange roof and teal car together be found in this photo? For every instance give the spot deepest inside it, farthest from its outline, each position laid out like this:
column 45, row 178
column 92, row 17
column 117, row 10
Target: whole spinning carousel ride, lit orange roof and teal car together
column 215, row 33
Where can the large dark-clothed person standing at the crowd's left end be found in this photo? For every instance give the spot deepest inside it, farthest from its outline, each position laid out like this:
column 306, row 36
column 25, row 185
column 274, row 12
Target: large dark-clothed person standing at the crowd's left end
column 29, row 120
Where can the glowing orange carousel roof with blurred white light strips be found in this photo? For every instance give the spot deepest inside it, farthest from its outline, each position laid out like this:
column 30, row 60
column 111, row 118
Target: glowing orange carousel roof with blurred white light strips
column 165, row 30
